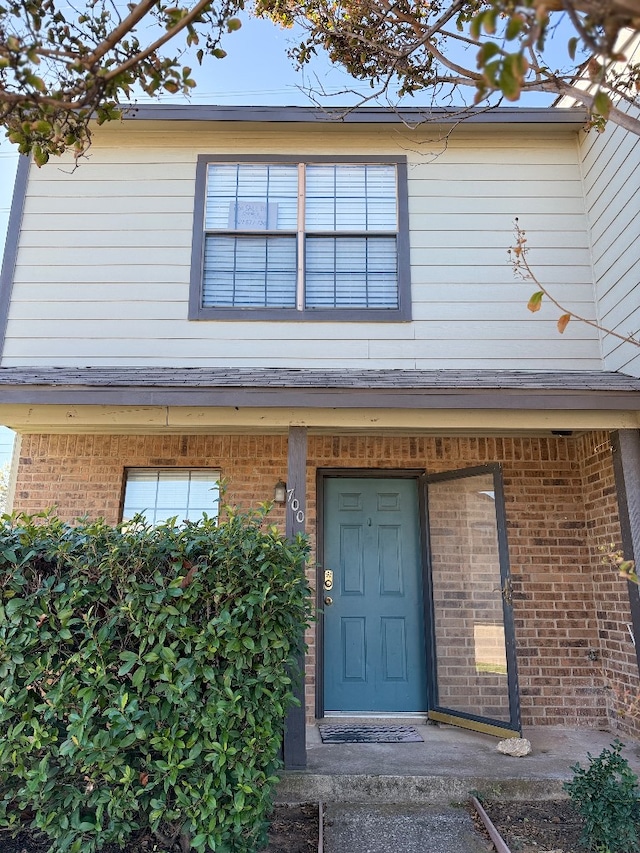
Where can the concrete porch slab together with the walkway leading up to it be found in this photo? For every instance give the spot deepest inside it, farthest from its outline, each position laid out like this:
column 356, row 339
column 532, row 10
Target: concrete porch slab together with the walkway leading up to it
column 406, row 797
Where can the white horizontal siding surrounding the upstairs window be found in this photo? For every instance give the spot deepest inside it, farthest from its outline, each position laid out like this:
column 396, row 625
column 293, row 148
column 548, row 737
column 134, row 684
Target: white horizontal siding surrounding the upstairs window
column 103, row 267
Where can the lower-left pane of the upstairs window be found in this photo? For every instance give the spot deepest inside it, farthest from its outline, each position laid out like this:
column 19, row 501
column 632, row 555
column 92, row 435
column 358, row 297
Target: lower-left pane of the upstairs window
column 250, row 272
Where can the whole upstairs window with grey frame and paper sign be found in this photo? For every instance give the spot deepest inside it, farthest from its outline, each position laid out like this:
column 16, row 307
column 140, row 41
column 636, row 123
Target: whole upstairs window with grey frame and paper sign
column 283, row 239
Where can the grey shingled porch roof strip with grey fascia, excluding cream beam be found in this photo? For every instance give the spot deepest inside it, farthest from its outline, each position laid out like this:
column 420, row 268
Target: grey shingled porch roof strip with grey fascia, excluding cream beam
column 349, row 388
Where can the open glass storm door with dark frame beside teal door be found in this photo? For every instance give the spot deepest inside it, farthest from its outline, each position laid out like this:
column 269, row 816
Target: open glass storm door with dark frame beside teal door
column 475, row 683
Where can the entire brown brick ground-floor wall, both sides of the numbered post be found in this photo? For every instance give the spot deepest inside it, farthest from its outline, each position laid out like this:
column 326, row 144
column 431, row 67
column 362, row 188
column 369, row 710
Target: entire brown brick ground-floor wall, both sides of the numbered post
column 560, row 504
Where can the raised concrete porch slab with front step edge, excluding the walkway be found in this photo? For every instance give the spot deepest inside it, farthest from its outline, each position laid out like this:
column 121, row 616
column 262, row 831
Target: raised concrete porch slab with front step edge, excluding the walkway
column 449, row 764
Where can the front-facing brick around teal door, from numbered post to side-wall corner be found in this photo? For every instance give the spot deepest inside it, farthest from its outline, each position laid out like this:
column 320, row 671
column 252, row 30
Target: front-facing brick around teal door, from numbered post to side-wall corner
column 554, row 607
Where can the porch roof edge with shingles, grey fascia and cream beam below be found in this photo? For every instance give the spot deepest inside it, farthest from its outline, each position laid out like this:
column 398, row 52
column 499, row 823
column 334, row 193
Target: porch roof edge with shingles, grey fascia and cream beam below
column 180, row 399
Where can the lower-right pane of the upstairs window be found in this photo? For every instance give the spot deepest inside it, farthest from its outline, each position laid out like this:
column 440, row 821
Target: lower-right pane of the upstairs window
column 355, row 272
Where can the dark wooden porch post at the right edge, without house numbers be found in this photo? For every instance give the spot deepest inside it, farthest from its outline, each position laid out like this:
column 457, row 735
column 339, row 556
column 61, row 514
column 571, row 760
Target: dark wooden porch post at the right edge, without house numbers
column 626, row 466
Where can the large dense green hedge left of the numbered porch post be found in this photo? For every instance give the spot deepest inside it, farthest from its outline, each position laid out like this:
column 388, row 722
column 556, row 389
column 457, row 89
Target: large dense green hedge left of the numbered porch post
column 144, row 677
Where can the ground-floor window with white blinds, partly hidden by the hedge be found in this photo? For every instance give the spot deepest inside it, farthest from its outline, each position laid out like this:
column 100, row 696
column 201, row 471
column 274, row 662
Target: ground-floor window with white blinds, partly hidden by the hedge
column 162, row 494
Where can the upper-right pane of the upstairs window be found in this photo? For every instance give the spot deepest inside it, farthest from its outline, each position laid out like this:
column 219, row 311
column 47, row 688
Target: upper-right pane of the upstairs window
column 351, row 197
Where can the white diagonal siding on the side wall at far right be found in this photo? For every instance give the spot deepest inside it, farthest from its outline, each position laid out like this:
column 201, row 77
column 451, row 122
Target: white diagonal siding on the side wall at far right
column 611, row 173
